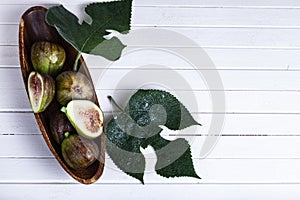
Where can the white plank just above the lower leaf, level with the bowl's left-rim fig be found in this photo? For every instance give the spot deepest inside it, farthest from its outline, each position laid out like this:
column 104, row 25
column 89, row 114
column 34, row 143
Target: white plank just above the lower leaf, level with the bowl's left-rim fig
column 189, row 79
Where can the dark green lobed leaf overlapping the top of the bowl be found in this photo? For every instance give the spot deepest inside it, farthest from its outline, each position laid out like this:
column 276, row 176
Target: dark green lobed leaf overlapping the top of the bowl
column 89, row 38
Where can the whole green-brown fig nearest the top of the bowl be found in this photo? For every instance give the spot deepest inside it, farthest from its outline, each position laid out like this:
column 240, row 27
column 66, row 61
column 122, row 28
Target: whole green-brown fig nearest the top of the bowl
column 47, row 58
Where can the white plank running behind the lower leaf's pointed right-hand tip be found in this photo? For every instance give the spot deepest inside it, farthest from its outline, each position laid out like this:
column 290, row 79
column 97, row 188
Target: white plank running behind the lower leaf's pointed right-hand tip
column 249, row 124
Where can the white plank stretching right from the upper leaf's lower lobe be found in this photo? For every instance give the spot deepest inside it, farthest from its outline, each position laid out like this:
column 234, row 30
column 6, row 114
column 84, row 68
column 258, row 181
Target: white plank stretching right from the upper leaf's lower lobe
column 215, row 37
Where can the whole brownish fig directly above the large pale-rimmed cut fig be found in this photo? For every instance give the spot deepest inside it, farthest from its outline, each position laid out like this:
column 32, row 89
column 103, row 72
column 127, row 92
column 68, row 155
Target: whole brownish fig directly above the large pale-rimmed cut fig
column 73, row 85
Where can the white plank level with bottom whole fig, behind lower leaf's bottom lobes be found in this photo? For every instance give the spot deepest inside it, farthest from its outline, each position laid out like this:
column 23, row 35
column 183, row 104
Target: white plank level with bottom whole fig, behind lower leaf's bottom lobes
column 228, row 147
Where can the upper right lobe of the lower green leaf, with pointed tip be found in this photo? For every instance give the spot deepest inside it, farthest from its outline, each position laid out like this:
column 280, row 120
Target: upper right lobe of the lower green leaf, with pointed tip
column 161, row 107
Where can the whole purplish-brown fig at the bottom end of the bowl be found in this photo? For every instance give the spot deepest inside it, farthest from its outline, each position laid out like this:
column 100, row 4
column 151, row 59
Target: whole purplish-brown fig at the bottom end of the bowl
column 79, row 152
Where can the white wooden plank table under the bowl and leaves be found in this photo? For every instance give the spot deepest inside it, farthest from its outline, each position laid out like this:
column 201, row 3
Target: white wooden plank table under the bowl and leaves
column 255, row 47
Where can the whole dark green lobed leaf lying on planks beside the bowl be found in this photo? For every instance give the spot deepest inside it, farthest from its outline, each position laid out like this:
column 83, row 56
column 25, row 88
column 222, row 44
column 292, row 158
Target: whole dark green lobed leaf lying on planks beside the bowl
column 139, row 126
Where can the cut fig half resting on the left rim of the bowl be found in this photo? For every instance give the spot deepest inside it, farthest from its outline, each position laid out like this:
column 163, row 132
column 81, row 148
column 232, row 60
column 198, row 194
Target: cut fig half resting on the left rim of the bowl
column 41, row 91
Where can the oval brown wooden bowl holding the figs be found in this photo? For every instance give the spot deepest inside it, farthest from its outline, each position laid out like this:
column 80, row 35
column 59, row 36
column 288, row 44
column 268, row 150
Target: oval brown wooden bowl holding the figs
column 34, row 28
